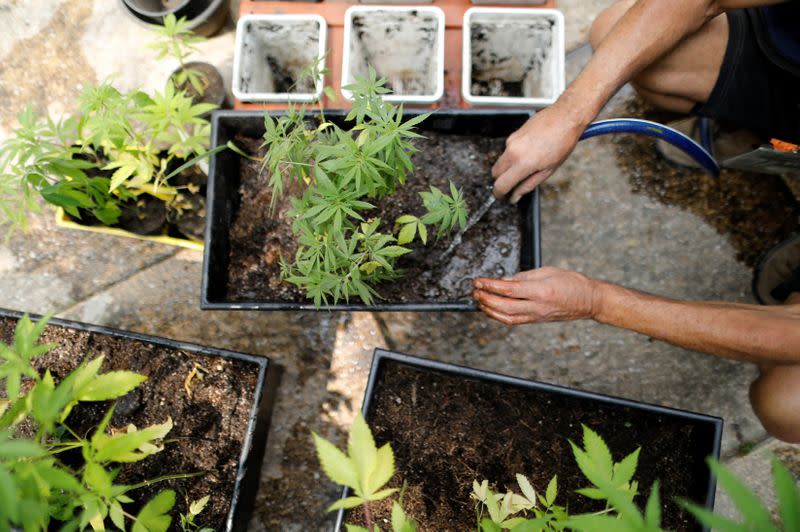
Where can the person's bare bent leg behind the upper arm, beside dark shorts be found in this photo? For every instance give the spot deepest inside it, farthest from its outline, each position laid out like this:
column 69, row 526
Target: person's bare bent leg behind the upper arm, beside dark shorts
column 685, row 76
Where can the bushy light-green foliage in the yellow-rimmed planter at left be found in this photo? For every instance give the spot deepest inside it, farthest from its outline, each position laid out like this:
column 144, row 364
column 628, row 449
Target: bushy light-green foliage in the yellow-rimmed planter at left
column 116, row 147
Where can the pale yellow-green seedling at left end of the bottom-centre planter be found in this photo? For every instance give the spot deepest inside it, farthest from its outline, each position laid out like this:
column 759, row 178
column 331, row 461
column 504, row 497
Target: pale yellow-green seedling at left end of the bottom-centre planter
column 365, row 469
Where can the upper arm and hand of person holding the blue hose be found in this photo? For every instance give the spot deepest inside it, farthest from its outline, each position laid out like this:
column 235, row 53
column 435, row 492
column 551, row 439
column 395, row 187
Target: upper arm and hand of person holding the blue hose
column 650, row 29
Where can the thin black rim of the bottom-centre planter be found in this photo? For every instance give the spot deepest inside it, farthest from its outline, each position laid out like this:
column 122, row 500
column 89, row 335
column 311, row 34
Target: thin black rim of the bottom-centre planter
column 381, row 355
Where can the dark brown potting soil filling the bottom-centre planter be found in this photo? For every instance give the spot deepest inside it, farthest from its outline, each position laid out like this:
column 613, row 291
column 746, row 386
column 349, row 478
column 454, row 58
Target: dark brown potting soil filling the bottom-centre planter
column 447, row 431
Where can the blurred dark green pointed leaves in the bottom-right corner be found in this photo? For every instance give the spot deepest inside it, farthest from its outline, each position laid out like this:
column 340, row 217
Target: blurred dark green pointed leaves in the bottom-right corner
column 754, row 514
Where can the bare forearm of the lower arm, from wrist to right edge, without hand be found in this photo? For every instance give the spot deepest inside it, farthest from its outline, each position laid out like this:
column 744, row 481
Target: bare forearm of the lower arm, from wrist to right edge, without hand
column 752, row 333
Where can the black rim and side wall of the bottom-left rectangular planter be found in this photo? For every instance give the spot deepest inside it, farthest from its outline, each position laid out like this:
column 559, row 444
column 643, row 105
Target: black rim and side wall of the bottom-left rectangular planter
column 254, row 442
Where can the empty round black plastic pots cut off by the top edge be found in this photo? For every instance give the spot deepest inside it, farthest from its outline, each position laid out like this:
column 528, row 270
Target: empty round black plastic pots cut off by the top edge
column 205, row 17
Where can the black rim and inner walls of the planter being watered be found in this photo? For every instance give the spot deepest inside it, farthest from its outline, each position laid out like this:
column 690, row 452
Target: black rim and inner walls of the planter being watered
column 219, row 206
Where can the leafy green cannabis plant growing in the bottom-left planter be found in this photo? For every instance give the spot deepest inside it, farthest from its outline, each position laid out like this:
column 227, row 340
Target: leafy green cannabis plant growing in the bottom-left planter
column 39, row 490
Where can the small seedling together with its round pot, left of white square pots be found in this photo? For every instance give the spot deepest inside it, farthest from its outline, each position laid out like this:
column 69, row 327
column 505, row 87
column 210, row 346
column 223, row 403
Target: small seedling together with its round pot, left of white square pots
column 201, row 81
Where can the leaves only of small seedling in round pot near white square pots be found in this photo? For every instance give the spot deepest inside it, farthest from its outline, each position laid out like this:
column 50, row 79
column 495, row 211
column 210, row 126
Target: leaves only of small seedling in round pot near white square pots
column 176, row 40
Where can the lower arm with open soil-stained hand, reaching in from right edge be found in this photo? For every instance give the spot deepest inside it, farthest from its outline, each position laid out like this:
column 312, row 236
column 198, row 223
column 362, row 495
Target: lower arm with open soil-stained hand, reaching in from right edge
column 752, row 333
